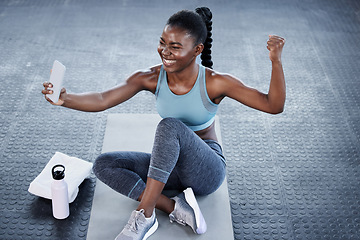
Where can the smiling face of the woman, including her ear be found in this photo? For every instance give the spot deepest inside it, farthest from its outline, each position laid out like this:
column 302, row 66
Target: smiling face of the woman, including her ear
column 176, row 49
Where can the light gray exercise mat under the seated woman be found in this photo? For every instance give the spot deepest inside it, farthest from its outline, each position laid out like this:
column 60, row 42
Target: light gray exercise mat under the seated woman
column 111, row 211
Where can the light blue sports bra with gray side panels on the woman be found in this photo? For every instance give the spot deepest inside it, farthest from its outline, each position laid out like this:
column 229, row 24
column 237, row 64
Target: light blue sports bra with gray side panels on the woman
column 194, row 108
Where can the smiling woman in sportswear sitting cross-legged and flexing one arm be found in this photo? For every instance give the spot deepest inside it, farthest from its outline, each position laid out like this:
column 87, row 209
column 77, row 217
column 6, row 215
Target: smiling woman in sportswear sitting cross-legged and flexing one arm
column 186, row 155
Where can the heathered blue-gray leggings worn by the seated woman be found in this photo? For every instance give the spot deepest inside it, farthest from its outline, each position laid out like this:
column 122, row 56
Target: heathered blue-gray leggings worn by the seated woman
column 179, row 158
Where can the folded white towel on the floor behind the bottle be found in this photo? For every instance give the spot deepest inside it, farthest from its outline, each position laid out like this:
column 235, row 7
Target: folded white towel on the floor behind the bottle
column 76, row 170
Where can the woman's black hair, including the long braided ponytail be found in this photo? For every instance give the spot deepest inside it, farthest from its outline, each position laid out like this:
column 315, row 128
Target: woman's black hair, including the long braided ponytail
column 199, row 25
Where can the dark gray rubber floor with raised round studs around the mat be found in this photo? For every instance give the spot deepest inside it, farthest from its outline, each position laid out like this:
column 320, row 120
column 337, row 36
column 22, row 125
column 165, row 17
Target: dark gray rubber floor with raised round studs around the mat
column 290, row 176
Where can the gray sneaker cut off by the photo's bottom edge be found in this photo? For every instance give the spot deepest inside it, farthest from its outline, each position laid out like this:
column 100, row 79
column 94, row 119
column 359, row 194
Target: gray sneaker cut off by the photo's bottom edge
column 138, row 227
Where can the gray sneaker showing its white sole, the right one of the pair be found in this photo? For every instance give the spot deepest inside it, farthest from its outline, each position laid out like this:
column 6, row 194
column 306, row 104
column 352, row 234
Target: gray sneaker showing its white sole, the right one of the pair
column 187, row 212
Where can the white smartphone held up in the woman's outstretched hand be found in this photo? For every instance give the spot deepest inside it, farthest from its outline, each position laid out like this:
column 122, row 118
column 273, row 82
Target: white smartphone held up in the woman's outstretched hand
column 56, row 79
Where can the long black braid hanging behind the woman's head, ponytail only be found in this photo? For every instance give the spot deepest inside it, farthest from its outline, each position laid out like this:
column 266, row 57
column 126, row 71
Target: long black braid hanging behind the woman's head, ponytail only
column 206, row 15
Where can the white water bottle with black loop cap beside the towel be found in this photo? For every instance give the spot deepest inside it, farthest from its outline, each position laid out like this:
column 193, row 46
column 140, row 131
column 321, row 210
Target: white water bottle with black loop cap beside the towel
column 59, row 193
